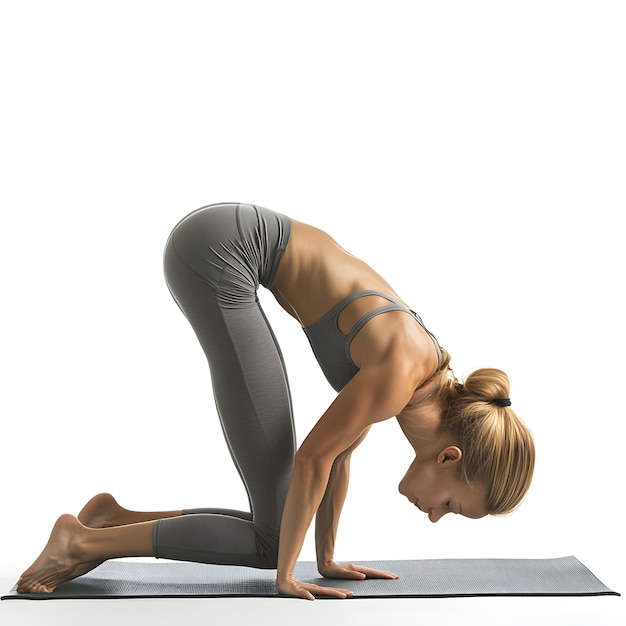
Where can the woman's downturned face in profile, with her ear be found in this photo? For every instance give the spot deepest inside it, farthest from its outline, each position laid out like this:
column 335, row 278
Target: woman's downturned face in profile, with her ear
column 434, row 487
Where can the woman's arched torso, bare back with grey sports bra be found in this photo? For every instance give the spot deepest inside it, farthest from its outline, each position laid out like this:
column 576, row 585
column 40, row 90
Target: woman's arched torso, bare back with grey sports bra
column 316, row 282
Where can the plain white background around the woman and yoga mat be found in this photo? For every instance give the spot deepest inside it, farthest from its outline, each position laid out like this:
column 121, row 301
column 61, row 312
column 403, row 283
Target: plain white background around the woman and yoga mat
column 472, row 152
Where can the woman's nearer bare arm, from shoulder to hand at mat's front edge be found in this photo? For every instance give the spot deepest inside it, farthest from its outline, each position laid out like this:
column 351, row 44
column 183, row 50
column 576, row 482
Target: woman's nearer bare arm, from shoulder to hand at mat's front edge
column 373, row 395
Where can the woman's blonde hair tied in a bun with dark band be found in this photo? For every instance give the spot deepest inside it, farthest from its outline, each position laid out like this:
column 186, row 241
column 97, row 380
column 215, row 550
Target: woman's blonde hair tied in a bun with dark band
column 498, row 448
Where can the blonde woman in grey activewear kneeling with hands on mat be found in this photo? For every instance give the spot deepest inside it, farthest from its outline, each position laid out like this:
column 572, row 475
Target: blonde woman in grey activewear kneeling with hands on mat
column 473, row 456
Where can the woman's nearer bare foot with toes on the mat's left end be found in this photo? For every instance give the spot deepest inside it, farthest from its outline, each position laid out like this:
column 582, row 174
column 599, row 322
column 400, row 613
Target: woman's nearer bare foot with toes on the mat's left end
column 61, row 560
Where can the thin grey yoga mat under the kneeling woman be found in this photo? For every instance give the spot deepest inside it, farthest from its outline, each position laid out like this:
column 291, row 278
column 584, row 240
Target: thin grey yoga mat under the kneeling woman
column 564, row 576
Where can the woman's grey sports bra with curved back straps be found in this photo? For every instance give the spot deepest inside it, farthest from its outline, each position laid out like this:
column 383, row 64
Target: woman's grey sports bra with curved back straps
column 332, row 348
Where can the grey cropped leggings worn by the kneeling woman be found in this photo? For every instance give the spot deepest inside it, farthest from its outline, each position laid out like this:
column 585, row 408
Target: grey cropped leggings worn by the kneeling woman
column 214, row 261
